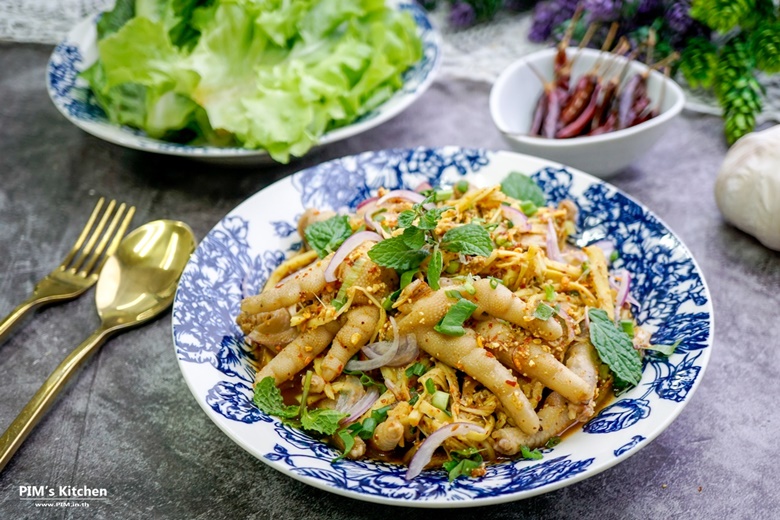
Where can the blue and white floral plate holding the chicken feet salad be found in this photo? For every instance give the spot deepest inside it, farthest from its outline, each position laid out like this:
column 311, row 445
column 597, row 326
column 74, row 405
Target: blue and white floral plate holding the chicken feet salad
column 236, row 257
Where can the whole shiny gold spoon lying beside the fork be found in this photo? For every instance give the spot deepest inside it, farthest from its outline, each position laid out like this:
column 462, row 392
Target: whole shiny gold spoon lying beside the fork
column 136, row 283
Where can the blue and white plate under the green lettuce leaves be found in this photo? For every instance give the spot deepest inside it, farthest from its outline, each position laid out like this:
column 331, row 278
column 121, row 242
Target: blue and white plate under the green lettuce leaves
column 72, row 96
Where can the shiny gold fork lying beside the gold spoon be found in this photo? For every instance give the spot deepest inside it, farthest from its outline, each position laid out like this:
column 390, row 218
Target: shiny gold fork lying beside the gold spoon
column 79, row 271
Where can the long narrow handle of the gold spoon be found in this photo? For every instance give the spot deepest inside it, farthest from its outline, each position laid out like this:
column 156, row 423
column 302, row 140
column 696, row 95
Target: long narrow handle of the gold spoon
column 33, row 411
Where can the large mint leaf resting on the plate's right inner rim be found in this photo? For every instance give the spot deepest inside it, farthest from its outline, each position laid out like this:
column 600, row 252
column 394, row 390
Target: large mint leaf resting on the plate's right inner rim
column 615, row 348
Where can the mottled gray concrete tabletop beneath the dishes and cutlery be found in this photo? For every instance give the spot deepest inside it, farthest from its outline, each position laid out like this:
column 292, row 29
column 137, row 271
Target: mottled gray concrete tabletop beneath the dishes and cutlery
column 129, row 424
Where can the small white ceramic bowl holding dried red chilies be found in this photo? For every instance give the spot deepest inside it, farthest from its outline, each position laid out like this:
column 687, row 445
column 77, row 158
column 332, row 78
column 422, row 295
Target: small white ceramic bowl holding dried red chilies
column 515, row 93
